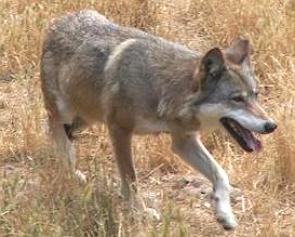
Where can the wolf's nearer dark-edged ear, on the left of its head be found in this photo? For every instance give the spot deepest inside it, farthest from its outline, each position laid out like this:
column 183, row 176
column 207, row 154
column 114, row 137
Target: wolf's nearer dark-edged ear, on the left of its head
column 213, row 62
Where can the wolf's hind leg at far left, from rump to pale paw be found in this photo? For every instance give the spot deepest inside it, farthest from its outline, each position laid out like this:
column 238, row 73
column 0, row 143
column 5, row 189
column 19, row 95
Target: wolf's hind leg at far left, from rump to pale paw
column 58, row 112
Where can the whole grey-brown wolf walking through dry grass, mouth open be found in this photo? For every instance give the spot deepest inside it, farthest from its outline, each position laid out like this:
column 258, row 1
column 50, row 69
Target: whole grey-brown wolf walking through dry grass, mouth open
column 93, row 70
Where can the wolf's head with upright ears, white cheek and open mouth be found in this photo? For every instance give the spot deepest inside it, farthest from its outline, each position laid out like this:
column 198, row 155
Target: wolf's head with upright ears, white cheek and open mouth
column 227, row 95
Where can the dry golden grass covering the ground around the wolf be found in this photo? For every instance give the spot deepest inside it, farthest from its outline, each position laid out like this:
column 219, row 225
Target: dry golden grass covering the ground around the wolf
column 34, row 203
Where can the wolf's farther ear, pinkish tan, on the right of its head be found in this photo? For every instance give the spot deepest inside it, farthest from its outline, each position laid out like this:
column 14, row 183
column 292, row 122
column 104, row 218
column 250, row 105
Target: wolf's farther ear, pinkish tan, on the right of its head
column 238, row 52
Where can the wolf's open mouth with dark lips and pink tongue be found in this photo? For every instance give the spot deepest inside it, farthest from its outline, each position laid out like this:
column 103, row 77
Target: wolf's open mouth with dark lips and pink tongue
column 243, row 136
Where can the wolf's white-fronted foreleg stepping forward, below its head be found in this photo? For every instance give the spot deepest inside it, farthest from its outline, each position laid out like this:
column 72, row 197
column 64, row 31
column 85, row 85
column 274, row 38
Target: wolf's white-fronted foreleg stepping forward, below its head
column 190, row 148
